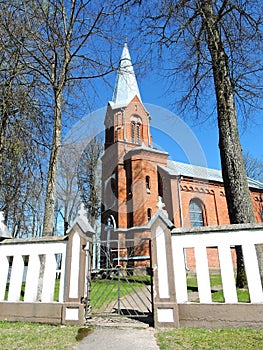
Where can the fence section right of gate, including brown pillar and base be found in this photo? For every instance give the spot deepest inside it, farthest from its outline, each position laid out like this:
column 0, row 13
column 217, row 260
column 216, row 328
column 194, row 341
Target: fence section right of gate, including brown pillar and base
column 174, row 306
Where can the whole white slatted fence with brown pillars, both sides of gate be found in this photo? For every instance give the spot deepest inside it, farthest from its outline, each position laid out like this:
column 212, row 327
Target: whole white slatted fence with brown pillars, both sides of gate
column 20, row 265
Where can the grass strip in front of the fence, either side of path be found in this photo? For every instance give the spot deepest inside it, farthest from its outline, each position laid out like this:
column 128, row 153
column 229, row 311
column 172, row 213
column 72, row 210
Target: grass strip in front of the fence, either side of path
column 31, row 336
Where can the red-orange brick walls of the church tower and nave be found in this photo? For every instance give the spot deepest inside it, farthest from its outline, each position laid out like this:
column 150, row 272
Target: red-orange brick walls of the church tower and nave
column 135, row 200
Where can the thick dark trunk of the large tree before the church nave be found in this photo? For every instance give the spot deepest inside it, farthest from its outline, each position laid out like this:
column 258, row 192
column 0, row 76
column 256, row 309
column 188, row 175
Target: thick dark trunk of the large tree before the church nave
column 238, row 197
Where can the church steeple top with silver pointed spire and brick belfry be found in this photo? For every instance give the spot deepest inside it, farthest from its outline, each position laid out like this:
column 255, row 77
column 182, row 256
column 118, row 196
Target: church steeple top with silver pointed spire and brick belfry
column 126, row 119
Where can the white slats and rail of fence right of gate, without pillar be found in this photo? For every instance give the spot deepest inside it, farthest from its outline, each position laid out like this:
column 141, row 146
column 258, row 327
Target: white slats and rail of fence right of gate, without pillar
column 223, row 241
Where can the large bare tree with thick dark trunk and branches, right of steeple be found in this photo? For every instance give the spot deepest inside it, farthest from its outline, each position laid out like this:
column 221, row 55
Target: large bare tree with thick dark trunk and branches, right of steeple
column 213, row 44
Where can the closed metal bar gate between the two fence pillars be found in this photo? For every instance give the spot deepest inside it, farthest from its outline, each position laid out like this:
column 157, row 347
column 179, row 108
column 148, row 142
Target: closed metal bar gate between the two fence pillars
column 120, row 280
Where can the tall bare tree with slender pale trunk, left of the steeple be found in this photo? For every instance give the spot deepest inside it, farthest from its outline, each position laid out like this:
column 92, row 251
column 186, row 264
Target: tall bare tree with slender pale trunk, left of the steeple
column 63, row 42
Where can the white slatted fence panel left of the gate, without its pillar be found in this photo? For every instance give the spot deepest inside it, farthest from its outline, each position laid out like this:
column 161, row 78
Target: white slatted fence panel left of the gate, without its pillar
column 20, row 263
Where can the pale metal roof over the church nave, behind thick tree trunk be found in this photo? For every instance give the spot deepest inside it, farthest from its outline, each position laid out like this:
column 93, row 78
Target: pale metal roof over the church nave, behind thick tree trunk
column 199, row 172
